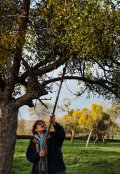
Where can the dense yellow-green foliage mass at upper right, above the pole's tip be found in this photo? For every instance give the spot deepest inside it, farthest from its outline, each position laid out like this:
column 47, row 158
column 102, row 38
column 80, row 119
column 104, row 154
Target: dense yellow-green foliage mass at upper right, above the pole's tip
column 83, row 27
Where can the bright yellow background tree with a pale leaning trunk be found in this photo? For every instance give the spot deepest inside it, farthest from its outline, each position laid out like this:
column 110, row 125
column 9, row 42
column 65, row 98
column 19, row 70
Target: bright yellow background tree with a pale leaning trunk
column 94, row 121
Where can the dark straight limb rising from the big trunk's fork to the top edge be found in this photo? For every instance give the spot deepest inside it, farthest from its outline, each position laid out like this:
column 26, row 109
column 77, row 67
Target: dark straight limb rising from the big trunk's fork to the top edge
column 19, row 48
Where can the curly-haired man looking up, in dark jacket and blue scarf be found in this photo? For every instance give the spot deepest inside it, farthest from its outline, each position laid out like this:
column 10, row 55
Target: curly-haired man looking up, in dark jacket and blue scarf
column 49, row 160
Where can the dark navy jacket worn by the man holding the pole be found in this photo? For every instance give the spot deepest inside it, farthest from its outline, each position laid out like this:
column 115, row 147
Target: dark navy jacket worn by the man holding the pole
column 55, row 161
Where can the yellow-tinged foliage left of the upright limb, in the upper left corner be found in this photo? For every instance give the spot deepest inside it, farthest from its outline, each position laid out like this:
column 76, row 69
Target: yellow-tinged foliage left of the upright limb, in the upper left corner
column 10, row 10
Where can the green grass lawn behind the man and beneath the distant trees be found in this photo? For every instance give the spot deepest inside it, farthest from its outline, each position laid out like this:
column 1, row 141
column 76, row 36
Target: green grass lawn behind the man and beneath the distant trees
column 97, row 159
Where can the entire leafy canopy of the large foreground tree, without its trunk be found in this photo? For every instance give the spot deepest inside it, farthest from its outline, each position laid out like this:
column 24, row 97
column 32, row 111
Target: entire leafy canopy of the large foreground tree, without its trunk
column 83, row 33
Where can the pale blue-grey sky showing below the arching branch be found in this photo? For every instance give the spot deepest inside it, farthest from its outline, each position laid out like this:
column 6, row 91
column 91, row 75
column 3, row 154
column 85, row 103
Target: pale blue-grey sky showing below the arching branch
column 80, row 102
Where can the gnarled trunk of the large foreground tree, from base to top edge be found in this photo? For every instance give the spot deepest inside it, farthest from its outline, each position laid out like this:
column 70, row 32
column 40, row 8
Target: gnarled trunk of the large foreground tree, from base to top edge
column 9, row 110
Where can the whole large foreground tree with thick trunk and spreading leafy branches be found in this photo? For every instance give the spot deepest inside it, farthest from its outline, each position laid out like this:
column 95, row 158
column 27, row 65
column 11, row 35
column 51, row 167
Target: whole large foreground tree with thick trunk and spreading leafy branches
column 33, row 46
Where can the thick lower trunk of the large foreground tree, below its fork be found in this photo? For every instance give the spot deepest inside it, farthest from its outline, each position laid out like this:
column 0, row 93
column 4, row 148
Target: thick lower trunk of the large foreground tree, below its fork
column 7, row 137
